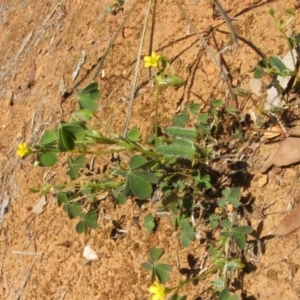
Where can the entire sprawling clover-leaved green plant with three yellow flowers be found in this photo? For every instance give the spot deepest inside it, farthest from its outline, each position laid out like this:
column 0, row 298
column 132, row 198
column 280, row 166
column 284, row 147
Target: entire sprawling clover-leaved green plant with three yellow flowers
column 171, row 162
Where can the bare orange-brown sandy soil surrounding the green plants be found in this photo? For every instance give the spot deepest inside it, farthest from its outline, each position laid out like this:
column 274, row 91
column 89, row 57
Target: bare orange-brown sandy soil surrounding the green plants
column 40, row 44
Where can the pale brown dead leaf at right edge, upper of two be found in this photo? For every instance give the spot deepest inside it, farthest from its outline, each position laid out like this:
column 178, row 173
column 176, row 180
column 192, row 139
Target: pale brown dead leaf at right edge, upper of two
column 288, row 152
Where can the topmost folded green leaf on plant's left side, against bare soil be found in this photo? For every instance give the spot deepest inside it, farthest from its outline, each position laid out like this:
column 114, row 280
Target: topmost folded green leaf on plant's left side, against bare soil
column 88, row 97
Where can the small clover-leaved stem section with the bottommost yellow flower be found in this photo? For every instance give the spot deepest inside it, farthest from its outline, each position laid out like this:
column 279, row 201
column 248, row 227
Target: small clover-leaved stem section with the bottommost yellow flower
column 224, row 259
